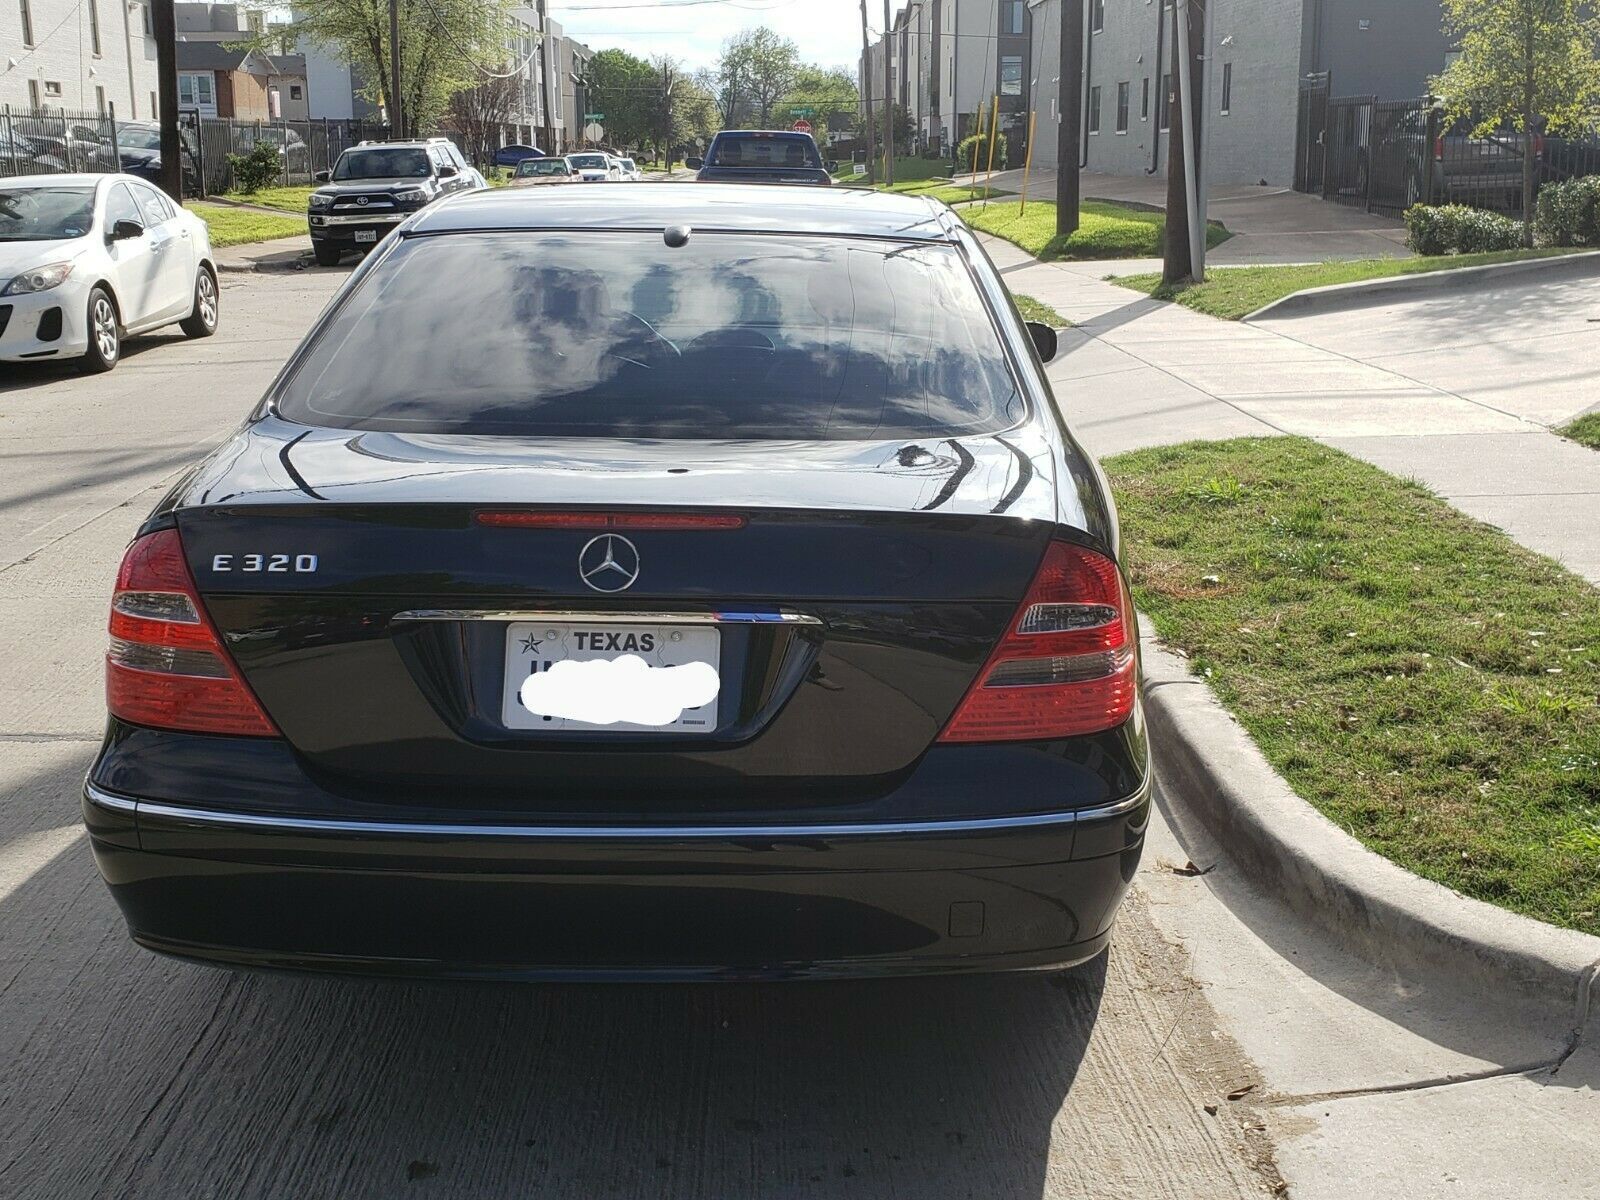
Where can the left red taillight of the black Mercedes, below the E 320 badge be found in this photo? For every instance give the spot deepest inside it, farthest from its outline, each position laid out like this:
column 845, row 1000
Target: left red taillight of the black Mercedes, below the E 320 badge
column 167, row 666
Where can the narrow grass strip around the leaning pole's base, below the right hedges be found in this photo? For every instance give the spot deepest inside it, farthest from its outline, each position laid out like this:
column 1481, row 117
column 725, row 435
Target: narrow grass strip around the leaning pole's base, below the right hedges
column 1234, row 292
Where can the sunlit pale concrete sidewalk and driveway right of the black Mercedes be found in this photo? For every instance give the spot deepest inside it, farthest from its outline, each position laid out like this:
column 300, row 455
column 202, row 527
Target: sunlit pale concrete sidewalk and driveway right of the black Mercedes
column 1138, row 374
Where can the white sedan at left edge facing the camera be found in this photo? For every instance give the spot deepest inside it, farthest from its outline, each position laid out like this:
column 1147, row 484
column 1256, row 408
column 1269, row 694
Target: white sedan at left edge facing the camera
column 89, row 260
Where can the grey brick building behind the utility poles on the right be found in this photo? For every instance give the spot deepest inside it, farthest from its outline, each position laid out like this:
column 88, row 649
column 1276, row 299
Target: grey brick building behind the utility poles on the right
column 1258, row 54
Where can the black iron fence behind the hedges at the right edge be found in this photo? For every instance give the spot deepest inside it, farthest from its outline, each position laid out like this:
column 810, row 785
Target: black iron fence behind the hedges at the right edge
column 1386, row 156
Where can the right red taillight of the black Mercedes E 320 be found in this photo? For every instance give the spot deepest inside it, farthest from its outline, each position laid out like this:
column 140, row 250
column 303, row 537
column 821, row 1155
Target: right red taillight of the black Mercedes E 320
column 1066, row 665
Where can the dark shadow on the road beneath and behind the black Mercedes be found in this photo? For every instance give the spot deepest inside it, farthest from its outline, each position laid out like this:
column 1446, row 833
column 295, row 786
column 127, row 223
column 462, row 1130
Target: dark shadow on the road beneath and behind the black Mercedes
column 129, row 1074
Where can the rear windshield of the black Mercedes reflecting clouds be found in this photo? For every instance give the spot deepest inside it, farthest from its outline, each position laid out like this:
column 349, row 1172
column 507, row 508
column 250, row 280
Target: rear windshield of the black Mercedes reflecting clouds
column 618, row 335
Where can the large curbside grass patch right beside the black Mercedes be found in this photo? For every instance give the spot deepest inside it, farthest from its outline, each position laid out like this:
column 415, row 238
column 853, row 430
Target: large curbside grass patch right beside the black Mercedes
column 1417, row 676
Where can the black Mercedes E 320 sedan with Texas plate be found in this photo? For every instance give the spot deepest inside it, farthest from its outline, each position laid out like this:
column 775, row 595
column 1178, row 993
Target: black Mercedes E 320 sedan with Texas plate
column 657, row 582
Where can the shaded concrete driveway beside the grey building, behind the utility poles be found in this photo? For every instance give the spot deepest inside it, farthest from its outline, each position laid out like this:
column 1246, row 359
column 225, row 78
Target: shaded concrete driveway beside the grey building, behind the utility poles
column 1270, row 225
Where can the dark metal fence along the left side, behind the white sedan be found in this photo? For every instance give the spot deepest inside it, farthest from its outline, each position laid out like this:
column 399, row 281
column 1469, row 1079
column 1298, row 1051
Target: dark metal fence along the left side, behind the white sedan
column 54, row 142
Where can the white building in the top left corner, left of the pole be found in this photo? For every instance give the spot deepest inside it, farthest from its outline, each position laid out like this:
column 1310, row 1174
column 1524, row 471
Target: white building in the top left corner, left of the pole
column 79, row 55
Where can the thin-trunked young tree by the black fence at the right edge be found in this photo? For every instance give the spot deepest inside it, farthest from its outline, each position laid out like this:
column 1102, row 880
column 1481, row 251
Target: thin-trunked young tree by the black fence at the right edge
column 1527, row 65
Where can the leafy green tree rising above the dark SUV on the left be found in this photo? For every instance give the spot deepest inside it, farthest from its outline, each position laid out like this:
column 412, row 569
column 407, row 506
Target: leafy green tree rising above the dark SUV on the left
column 446, row 46
